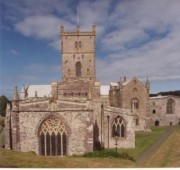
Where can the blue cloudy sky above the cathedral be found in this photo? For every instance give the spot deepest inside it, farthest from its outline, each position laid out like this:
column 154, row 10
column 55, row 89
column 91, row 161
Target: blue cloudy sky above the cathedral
column 134, row 38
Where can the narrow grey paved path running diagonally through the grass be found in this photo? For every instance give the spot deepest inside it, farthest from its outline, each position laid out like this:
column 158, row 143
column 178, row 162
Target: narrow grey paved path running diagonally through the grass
column 142, row 158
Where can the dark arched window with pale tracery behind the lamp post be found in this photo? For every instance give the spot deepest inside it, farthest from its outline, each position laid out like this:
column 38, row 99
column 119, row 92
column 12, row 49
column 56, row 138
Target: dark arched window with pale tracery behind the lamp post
column 118, row 127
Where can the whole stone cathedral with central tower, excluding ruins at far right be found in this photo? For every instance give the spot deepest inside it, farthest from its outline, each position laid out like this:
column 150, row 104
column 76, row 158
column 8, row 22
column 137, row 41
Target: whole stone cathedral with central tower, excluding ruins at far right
column 77, row 114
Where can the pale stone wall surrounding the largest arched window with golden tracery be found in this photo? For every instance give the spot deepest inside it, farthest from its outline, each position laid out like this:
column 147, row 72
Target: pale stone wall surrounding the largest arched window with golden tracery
column 80, row 137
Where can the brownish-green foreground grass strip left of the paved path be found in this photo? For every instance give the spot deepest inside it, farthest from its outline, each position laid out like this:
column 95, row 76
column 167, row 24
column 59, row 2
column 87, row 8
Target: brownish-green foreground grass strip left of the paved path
column 27, row 160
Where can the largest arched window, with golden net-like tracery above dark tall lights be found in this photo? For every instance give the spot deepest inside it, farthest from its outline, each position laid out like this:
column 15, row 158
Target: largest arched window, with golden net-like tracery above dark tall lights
column 53, row 137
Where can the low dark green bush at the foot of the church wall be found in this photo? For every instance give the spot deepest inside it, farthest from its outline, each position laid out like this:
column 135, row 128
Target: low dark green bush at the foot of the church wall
column 108, row 154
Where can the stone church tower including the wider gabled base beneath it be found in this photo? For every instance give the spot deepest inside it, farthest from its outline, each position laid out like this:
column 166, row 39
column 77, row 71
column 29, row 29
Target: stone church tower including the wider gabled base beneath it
column 78, row 66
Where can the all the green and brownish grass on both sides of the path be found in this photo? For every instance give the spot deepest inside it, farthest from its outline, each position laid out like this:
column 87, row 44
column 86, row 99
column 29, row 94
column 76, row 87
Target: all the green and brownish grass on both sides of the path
column 167, row 155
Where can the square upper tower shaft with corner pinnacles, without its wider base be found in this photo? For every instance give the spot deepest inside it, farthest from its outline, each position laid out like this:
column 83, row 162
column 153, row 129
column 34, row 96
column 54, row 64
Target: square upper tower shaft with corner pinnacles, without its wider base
column 78, row 55
